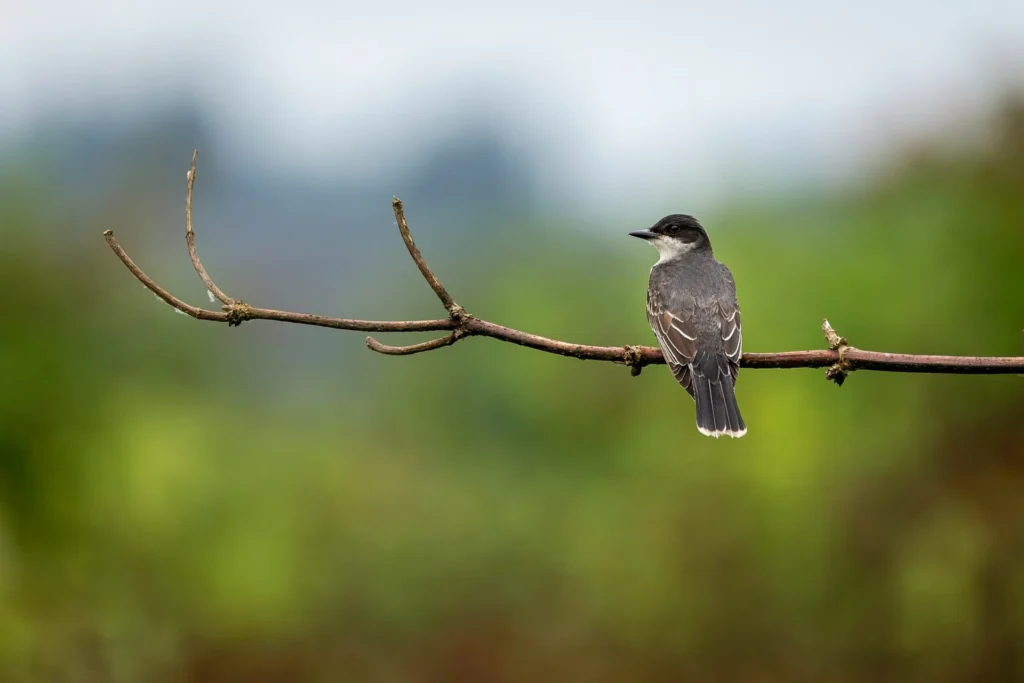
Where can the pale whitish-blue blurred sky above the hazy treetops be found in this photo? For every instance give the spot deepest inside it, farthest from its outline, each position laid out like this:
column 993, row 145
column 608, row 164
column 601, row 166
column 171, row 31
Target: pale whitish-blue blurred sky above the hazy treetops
column 624, row 100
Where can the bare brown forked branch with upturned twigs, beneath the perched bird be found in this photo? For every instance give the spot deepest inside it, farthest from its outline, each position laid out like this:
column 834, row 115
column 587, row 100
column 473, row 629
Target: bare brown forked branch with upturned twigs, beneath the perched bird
column 840, row 358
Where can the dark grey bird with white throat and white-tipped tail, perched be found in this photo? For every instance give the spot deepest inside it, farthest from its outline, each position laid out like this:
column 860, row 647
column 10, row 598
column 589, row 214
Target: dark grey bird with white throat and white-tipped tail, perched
column 693, row 309
